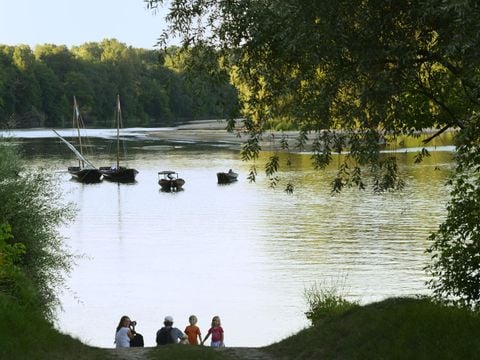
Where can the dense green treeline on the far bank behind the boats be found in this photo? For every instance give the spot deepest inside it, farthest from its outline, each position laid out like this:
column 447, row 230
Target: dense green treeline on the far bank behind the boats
column 37, row 86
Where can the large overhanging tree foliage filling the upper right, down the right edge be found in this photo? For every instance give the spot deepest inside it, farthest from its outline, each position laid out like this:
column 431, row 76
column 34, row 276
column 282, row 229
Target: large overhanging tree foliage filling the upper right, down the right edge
column 352, row 76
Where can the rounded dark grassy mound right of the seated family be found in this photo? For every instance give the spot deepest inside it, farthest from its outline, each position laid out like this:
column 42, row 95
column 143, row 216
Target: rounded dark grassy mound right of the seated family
column 400, row 328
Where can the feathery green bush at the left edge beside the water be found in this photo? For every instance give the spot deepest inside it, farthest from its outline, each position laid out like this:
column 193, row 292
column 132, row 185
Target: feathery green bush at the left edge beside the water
column 33, row 258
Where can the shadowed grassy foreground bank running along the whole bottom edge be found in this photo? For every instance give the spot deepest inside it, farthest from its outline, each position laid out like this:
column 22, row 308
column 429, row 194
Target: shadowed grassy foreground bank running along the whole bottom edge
column 391, row 329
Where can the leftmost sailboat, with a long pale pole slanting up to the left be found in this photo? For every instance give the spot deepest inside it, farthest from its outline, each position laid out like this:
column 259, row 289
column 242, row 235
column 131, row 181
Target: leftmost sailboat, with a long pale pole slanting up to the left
column 85, row 172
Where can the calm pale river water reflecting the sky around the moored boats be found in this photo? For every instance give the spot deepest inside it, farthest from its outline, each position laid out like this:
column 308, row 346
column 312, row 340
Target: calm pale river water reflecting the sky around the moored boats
column 242, row 251
